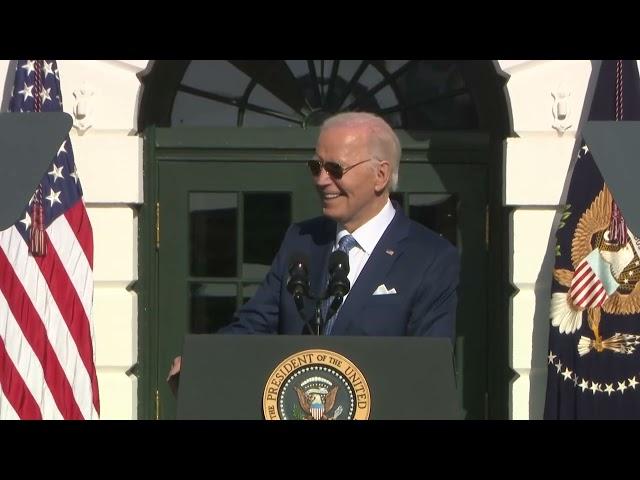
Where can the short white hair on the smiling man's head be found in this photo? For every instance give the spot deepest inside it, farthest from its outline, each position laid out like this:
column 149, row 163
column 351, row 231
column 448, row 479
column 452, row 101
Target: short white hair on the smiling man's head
column 383, row 141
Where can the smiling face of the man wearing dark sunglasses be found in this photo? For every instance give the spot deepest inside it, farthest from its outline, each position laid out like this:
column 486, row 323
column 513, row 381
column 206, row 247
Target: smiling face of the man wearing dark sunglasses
column 358, row 195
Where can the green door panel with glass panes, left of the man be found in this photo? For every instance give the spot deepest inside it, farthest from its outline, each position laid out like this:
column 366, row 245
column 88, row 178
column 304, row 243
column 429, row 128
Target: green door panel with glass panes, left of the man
column 221, row 225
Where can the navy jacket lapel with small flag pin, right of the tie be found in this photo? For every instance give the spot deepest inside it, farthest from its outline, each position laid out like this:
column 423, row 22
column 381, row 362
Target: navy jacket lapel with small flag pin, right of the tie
column 389, row 248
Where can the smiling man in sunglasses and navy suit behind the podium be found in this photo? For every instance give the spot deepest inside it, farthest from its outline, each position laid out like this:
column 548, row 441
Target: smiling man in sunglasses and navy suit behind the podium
column 403, row 276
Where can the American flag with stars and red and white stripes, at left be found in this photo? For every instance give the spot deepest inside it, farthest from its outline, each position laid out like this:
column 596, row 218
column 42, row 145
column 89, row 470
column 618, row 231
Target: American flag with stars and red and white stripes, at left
column 47, row 367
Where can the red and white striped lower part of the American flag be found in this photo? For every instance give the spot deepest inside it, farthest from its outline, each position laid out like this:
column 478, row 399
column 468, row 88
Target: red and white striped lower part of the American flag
column 47, row 367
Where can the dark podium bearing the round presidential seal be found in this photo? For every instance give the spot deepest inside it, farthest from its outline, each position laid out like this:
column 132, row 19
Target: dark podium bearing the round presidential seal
column 252, row 377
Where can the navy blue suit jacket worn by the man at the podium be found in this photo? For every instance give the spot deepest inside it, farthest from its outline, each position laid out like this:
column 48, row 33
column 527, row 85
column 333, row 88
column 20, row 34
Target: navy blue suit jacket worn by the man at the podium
column 421, row 266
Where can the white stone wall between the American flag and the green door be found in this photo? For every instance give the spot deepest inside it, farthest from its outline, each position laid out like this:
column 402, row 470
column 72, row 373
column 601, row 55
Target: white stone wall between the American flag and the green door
column 109, row 160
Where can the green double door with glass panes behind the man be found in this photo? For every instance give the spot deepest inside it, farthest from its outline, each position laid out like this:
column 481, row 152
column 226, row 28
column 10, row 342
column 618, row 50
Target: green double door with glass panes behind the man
column 225, row 200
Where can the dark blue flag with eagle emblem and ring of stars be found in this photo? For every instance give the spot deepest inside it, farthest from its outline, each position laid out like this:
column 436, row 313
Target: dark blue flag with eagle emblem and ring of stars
column 593, row 357
